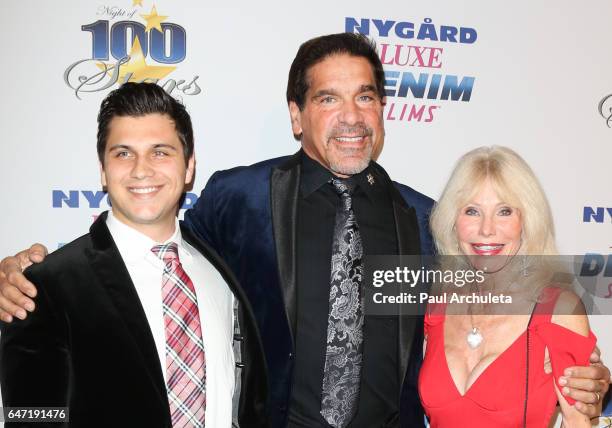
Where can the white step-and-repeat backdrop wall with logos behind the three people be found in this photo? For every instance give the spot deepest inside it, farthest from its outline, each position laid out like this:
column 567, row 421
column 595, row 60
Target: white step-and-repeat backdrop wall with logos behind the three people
column 533, row 76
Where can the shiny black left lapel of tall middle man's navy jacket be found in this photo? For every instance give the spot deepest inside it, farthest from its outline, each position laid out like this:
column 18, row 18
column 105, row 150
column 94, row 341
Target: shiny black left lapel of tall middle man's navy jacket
column 284, row 191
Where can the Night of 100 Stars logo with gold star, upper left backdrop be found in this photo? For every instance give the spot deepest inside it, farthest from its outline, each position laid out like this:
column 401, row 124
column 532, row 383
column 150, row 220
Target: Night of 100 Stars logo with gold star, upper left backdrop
column 130, row 45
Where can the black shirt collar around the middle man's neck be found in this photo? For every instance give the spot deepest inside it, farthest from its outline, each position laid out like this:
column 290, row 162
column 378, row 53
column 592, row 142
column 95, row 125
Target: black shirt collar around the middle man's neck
column 314, row 176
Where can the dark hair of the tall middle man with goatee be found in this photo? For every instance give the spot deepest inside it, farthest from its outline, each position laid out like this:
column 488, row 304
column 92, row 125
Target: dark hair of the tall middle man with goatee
column 316, row 50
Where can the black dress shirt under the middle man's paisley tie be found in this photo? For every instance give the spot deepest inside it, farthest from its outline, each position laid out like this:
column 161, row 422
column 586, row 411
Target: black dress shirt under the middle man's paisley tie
column 372, row 204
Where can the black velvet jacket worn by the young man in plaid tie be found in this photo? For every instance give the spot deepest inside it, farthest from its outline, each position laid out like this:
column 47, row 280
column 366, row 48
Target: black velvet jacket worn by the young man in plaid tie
column 88, row 346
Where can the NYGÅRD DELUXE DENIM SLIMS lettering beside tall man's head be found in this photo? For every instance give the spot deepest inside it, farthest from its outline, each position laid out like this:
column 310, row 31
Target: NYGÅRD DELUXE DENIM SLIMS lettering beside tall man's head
column 410, row 93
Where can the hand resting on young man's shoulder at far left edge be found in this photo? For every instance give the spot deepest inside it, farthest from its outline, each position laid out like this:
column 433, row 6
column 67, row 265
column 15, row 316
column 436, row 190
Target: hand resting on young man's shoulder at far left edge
column 16, row 292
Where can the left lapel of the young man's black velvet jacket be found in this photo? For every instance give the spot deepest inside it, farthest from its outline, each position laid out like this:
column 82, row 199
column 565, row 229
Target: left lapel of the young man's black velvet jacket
column 108, row 266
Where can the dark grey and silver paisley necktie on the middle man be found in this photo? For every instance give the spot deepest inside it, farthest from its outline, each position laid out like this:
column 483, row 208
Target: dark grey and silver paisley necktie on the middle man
column 344, row 352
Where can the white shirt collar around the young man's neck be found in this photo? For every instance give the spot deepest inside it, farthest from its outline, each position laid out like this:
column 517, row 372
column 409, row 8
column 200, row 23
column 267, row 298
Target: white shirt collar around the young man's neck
column 135, row 246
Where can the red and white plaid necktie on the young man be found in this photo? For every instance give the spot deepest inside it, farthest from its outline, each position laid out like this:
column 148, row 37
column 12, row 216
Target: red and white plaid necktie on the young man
column 185, row 361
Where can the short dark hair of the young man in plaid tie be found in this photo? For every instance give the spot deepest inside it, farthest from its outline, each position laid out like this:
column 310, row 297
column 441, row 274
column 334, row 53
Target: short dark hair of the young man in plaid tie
column 139, row 99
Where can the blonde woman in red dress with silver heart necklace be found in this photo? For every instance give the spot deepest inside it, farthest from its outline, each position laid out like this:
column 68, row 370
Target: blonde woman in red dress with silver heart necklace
column 499, row 370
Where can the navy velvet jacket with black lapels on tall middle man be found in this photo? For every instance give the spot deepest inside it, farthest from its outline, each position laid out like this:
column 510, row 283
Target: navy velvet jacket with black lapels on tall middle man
column 249, row 216
